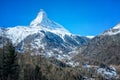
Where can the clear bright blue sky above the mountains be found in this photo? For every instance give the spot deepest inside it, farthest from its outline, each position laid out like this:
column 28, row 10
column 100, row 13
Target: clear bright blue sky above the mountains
column 83, row 17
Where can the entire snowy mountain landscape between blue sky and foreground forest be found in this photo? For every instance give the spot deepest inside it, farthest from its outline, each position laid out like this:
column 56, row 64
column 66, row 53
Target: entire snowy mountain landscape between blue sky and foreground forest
column 46, row 37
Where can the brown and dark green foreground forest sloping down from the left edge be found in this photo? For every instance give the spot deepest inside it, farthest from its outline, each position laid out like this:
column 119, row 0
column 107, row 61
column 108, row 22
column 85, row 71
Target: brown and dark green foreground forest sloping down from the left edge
column 19, row 66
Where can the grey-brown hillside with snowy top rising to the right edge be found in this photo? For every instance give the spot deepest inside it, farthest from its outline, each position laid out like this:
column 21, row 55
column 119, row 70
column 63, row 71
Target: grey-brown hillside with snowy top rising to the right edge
column 105, row 47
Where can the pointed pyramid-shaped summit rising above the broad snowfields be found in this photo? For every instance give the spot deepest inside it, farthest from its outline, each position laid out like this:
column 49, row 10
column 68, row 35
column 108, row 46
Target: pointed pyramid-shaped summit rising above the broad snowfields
column 43, row 21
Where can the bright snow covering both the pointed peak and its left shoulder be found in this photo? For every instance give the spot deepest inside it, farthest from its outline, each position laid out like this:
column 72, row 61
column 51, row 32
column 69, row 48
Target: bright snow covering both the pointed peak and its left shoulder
column 41, row 22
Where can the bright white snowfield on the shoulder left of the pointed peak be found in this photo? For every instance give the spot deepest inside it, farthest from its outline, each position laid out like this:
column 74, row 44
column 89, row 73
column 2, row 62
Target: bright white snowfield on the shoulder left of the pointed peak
column 18, row 33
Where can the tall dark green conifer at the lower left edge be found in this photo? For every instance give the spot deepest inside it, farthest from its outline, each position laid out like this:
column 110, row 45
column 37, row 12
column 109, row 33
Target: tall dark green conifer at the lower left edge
column 9, row 69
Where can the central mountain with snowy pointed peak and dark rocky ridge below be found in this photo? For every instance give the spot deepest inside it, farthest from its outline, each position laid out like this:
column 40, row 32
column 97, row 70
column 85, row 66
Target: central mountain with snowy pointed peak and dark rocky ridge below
column 44, row 36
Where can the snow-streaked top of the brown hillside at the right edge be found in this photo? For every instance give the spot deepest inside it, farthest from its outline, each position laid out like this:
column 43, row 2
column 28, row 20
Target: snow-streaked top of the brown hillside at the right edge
column 113, row 31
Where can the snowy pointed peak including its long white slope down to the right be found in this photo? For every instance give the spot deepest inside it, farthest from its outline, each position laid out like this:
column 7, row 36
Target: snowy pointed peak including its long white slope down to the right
column 46, row 24
